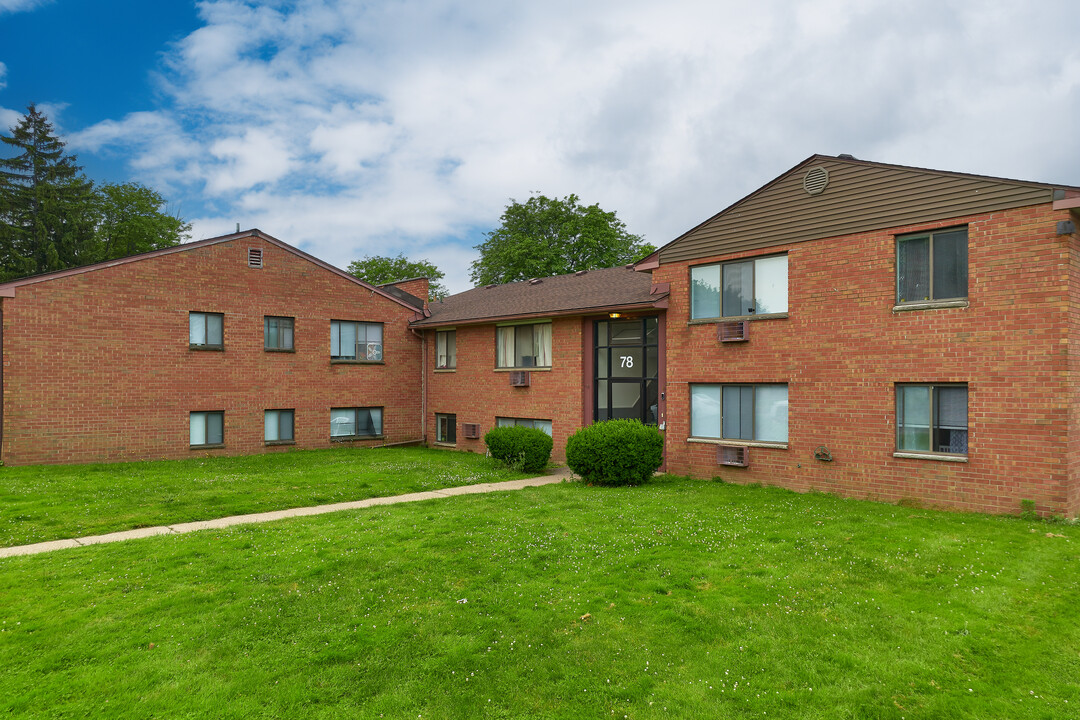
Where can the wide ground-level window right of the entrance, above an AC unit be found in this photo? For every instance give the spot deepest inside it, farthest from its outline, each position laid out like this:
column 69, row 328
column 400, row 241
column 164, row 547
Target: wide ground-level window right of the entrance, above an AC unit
column 740, row 413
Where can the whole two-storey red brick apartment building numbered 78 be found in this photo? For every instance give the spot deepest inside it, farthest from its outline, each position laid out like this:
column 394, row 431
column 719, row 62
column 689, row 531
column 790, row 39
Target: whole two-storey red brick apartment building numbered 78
column 874, row 331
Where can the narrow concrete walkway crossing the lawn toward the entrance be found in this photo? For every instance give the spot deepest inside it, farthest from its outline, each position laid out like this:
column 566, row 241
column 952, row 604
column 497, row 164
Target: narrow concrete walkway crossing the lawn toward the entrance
column 562, row 474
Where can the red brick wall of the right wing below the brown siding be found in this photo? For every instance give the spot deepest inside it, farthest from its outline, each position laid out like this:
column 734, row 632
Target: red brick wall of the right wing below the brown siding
column 843, row 349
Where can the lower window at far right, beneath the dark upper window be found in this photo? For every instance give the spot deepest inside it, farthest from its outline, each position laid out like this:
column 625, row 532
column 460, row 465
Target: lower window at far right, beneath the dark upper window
column 933, row 419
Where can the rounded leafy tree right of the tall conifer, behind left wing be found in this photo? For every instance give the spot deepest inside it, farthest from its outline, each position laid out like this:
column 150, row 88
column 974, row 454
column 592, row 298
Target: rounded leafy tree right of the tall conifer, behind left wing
column 130, row 221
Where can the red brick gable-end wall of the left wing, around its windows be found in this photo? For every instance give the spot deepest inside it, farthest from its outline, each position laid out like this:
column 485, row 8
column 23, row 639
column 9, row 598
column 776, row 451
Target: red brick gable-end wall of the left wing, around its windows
column 98, row 365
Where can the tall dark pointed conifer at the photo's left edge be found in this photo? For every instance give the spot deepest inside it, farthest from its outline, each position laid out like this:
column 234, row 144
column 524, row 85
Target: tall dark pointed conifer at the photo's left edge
column 47, row 206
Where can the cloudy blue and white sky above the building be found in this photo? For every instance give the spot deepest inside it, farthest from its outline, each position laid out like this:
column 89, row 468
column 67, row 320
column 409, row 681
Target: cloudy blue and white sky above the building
column 353, row 129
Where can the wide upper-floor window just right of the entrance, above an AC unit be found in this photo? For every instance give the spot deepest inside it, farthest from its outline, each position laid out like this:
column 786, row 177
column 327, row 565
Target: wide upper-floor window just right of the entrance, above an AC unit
column 736, row 290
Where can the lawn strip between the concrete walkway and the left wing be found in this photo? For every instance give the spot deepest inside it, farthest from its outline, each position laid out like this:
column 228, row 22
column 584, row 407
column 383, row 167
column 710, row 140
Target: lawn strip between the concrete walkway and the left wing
column 52, row 502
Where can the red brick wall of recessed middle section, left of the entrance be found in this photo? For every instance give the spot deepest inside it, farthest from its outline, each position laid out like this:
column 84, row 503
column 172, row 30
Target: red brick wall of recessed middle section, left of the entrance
column 477, row 392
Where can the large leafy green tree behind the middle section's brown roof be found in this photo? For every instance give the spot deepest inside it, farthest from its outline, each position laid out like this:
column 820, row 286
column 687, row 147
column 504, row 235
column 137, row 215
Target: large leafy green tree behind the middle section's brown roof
column 550, row 237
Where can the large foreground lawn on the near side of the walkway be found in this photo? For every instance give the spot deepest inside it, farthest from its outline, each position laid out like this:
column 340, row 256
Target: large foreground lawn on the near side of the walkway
column 678, row 600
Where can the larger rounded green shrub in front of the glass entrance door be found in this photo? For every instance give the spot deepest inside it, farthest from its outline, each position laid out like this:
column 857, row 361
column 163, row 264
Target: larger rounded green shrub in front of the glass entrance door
column 616, row 453
